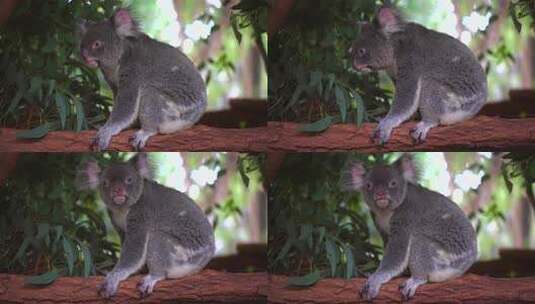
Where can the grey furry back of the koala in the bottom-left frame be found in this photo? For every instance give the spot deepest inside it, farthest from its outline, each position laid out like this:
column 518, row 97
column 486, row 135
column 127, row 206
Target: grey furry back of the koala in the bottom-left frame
column 174, row 214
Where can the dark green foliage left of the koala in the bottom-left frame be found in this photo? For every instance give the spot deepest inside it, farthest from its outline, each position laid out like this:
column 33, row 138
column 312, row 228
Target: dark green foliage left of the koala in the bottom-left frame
column 47, row 227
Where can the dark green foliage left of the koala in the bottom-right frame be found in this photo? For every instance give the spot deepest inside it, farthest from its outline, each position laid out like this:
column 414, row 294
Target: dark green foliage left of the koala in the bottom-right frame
column 315, row 229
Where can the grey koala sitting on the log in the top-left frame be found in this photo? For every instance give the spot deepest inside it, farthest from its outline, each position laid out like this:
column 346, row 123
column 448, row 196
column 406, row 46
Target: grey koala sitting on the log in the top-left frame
column 153, row 83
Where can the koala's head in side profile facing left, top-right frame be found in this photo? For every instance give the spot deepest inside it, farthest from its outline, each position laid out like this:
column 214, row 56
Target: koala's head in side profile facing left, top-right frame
column 373, row 50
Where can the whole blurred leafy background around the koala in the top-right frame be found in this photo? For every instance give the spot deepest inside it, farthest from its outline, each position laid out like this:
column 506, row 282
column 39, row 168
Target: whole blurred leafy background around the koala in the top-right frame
column 310, row 75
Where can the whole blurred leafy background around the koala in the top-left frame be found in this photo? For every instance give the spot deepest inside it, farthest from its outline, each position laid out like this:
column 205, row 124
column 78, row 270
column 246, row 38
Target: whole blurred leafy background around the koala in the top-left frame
column 44, row 84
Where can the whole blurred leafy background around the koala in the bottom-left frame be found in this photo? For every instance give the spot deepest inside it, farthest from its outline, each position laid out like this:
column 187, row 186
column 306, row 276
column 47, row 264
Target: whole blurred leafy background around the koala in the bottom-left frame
column 48, row 226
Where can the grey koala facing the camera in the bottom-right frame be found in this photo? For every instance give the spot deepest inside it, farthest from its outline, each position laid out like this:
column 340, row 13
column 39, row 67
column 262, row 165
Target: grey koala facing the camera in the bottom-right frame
column 423, row 230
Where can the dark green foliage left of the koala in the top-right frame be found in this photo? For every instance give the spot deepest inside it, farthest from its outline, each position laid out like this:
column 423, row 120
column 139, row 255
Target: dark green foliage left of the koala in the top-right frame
column 310, row 72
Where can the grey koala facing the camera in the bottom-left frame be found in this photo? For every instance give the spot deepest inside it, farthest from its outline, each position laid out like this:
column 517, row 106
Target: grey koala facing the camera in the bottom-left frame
column 161, row 228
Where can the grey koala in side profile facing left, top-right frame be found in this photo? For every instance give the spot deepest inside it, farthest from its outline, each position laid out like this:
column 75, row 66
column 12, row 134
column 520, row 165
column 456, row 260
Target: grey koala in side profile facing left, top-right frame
column 432, row 72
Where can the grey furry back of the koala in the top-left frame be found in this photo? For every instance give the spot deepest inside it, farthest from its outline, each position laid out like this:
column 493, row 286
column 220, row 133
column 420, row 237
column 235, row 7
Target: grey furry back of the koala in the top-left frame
column 163, row 67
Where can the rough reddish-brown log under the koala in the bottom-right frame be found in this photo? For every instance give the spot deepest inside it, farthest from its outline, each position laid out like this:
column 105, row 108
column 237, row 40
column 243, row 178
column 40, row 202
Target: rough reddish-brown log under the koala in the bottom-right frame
column 467, row 289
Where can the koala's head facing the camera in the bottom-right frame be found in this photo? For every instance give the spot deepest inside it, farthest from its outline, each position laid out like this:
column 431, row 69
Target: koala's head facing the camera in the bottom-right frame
column 383, row 187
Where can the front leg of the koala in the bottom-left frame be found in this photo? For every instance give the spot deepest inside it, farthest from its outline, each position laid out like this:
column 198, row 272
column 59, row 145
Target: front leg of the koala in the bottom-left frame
column 133, row 257
